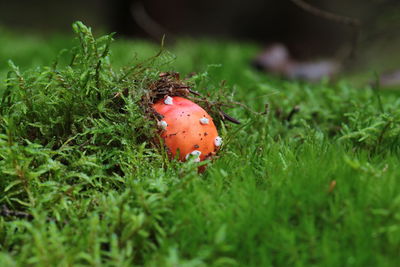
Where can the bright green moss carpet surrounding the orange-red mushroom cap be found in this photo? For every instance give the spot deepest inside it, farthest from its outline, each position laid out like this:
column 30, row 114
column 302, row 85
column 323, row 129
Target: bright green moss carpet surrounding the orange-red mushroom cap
column 321, row 188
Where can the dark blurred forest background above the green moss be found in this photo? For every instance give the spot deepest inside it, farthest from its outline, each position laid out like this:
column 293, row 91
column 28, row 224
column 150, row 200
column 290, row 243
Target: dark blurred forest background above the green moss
column 304, row 33
